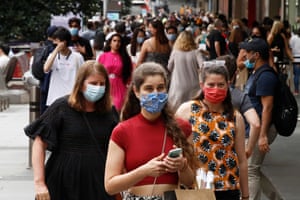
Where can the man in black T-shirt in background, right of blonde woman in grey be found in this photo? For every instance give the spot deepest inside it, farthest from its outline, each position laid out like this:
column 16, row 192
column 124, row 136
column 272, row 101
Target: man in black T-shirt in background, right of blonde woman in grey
column 217, row 43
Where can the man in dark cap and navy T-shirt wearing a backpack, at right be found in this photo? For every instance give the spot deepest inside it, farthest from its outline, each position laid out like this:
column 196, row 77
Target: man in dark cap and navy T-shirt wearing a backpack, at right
column 262, row 97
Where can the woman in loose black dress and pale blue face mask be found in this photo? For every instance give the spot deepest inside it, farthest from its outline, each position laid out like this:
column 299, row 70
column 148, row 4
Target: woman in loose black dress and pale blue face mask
column 76, row 129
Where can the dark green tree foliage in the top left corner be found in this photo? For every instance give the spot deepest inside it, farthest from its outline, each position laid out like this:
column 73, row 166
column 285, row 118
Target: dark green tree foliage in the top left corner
column 28, row 20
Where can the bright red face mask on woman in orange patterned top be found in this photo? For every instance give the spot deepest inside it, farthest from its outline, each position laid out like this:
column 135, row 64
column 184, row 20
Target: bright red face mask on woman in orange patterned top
column 214, row 95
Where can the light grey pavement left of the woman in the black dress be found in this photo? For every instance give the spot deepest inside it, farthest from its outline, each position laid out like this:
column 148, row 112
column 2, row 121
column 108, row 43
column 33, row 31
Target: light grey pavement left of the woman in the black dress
column 16, row 180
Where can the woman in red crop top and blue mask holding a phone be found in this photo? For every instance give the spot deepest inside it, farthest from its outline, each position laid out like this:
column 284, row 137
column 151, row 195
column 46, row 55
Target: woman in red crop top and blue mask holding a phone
column 137, row 160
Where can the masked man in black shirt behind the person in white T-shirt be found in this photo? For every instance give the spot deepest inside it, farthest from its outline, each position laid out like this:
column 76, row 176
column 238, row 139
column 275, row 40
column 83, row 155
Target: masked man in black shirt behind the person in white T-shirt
column 78, row 43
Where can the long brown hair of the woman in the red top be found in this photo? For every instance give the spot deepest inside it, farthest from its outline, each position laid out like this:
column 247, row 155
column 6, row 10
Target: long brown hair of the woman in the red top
column 132, row 107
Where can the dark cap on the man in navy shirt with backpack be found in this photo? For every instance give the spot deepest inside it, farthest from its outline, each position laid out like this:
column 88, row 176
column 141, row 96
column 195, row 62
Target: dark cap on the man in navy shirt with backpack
column 255, row 44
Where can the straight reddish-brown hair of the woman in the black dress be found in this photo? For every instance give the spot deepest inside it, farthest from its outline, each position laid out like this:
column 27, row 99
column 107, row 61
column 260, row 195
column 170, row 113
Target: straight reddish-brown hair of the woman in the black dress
column 76, row 98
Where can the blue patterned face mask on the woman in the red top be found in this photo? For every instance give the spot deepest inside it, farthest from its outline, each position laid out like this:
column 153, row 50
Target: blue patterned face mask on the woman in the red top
column 154, row 102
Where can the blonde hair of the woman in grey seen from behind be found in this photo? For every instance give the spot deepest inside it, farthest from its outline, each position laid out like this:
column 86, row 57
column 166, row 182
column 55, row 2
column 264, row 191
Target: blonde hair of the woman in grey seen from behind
column 185, row 42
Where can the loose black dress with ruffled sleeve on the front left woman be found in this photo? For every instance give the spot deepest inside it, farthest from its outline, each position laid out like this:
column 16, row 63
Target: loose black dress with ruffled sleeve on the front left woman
column 75, row 169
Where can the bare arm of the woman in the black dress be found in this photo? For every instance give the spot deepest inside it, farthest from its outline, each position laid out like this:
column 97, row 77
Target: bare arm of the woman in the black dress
column 38, row 160
